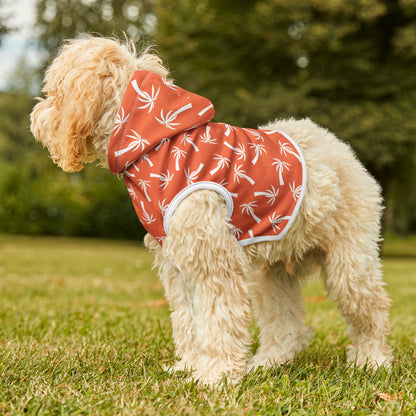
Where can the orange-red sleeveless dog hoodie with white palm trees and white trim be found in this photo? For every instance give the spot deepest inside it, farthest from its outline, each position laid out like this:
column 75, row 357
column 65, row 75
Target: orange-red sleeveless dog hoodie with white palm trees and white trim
column 166, row 147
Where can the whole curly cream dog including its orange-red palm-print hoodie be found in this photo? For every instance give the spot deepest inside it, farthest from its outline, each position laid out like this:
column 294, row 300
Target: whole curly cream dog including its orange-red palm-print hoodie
column 225, row 236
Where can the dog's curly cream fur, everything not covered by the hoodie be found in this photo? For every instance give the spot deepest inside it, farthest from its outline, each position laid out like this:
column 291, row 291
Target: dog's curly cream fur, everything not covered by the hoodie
column 210, row 280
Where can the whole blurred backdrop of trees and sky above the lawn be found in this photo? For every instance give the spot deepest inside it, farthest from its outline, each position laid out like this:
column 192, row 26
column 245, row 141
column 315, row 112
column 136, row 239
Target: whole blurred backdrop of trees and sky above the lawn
column 348, row 65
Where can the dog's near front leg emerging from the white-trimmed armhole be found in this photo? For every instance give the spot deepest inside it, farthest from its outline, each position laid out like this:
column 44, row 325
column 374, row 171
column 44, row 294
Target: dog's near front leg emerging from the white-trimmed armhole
column 213, row 268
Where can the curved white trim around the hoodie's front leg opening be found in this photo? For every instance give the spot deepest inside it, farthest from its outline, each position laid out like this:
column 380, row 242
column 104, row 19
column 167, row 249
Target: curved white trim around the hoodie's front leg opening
column 211, row 186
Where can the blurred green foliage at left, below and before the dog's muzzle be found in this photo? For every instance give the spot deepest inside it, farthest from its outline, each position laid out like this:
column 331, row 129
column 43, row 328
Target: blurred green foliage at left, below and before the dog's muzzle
column 38, row 198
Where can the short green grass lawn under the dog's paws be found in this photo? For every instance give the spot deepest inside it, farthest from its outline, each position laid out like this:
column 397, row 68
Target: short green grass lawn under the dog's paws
column 84, row 330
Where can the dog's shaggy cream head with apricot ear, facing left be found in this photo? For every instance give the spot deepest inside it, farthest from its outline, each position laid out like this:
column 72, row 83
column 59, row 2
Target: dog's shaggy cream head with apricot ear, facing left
column 83, row 89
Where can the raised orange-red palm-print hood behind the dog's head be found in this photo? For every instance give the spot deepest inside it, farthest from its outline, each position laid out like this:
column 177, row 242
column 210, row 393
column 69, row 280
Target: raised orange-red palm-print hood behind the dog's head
column 153, row 110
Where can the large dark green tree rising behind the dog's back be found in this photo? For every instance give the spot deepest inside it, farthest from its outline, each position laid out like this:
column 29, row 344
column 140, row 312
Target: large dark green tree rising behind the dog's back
column 350, row 66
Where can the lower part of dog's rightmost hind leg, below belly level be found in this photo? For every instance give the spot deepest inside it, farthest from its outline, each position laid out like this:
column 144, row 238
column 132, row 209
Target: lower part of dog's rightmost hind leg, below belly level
column 353, row 278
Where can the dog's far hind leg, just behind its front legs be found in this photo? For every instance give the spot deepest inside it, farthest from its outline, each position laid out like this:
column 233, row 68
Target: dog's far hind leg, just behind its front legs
column 278, row 306
